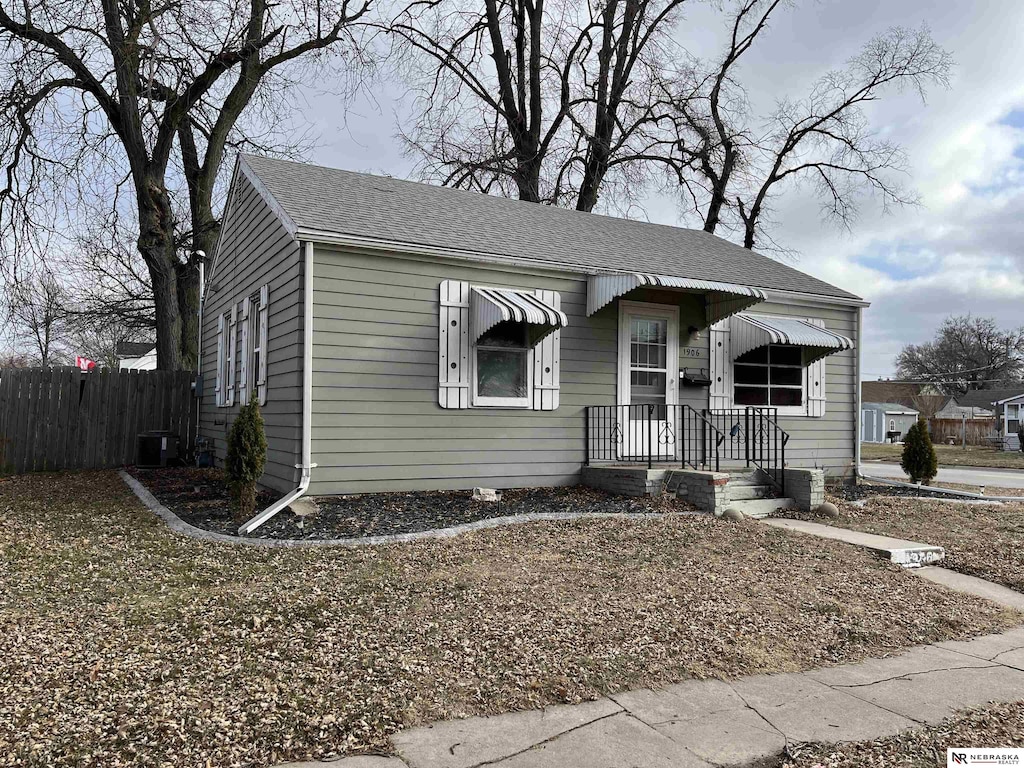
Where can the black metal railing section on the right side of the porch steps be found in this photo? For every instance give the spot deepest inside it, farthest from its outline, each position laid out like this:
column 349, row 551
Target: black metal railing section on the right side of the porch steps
column 754, row 437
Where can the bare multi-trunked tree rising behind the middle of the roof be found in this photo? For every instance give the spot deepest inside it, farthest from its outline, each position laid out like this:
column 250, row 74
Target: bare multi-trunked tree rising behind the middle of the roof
column 541, row 99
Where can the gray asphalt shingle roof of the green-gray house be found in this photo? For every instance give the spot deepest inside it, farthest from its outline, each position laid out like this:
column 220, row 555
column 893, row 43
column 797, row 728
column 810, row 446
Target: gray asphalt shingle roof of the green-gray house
column 363, row 205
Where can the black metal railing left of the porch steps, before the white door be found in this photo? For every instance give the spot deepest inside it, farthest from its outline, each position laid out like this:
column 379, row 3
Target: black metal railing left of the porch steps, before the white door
column 654, row 435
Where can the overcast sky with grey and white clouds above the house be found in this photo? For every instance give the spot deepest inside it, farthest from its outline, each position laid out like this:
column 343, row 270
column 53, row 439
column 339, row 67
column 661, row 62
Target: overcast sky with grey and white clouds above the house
column 963, row 251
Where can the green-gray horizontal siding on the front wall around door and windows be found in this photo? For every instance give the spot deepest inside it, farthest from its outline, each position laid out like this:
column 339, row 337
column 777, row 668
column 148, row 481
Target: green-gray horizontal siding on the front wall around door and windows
column 377, row 425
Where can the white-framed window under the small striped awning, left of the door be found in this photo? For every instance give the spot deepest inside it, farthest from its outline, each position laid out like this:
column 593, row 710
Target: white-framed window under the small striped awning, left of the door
column 502, row 362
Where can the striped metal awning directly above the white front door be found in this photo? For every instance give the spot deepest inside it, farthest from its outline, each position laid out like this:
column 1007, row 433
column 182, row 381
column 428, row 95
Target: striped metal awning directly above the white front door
column 722, row 300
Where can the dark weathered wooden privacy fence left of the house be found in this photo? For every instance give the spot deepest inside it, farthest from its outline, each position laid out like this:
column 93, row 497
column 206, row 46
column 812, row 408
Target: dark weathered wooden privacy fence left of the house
column 68, row 419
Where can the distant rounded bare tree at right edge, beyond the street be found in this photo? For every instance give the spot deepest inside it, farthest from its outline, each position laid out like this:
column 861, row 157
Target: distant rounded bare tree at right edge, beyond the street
column 967, row 354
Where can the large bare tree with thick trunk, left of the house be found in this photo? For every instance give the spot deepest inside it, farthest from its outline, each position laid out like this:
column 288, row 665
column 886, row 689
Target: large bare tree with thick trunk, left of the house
column 153, row 95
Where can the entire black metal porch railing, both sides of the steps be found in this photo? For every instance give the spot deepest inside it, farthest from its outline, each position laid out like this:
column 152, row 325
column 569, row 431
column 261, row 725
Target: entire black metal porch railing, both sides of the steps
column 654, row 434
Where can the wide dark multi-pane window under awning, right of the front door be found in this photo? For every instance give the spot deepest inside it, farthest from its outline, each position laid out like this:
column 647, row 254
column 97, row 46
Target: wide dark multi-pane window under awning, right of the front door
column 771, row 376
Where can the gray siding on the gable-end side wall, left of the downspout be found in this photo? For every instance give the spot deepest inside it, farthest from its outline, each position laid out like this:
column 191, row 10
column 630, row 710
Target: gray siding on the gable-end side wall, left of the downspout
column 258, row 250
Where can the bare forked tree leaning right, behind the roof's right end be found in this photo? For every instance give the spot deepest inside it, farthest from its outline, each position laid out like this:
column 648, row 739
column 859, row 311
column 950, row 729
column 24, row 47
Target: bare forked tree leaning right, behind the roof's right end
column 825, row 138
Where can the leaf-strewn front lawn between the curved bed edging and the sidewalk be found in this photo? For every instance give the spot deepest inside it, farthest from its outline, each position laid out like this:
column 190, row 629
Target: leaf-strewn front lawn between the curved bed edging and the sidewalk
column 122, row 645
